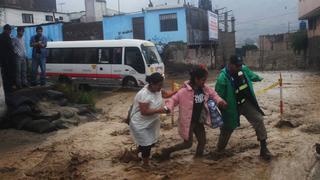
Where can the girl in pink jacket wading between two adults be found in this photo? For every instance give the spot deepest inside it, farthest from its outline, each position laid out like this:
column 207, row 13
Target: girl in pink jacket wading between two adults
column 193, row 111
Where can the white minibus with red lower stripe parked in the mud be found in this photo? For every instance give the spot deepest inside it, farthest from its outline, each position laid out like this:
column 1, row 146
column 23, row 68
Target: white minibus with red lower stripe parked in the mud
column 124, row 62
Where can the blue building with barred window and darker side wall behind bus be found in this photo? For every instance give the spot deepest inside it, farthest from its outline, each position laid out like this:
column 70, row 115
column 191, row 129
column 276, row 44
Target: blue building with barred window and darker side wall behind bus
column 162, row 25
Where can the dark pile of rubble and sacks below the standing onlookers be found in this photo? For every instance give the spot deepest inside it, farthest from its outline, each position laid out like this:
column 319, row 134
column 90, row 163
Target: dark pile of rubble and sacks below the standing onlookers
column 43, row 110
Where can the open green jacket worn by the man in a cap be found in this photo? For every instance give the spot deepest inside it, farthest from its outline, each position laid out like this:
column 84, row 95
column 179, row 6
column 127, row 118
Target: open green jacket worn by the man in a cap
column 225, row 89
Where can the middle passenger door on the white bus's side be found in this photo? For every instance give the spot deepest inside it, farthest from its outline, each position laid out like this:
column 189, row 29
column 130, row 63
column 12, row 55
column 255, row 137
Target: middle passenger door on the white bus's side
column 104, row 67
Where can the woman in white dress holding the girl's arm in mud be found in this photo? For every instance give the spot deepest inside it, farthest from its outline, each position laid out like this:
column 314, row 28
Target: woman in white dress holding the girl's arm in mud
column 145, row 115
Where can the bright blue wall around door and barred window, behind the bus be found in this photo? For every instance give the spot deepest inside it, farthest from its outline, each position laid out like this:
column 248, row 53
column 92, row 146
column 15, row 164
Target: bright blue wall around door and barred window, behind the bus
column 120, row 27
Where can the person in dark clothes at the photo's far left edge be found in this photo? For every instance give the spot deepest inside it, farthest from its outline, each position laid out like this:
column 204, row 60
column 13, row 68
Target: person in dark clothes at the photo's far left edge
column 7, row 59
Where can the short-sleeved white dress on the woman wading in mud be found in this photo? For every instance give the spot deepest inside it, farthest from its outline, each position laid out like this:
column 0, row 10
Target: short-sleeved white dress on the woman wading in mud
column 145, row 129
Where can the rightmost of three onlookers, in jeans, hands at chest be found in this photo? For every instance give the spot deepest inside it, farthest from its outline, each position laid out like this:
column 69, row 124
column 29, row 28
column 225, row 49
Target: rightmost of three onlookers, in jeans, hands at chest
column 39, row 54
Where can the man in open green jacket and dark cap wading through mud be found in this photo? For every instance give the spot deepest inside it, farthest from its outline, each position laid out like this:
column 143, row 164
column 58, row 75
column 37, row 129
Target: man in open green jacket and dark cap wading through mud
column 234, row 85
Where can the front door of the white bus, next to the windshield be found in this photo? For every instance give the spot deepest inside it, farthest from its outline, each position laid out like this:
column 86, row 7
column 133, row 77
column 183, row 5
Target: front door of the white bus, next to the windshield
column 134, row 64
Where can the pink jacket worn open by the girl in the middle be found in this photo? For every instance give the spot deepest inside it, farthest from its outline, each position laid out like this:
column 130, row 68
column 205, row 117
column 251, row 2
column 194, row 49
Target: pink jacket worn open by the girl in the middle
column 185, row 98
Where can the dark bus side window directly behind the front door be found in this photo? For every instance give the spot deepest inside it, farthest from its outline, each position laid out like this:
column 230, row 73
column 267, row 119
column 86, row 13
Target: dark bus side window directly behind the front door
column 111, row 55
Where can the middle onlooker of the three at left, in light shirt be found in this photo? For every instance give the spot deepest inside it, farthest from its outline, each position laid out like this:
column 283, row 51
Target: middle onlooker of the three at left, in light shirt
column 21, row 55
